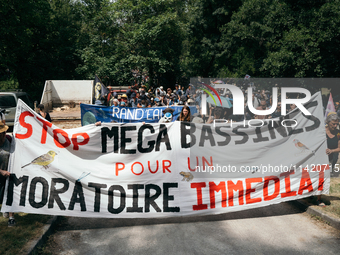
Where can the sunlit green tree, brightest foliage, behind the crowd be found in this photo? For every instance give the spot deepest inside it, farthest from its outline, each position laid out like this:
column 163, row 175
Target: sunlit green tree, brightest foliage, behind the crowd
column 133, row 35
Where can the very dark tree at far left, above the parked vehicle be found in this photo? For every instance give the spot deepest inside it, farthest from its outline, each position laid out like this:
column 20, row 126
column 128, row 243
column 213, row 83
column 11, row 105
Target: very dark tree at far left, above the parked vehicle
column 38, row 41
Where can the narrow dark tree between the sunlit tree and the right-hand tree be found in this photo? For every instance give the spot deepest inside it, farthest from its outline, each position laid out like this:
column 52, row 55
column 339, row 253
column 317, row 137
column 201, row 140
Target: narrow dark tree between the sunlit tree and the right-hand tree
column 206, row 18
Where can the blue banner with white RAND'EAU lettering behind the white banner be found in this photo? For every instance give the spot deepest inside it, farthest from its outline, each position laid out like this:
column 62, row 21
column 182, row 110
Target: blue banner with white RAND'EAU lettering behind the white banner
column 92, row 113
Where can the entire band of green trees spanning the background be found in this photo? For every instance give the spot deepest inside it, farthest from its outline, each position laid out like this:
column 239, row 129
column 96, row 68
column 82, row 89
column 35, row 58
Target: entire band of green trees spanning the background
column 166, row 40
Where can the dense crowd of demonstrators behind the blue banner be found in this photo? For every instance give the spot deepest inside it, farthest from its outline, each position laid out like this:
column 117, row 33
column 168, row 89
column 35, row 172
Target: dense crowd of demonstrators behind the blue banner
column 141, row 97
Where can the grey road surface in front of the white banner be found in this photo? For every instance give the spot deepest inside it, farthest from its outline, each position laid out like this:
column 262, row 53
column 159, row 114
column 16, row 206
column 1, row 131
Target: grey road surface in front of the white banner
column 275, row 229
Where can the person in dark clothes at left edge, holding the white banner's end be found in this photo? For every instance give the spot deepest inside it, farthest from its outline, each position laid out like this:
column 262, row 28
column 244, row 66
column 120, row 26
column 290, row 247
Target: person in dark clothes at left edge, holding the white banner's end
column 5, row 146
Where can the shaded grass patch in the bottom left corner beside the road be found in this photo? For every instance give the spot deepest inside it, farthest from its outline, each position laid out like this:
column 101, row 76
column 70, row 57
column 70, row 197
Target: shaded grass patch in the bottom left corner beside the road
column 28, row 227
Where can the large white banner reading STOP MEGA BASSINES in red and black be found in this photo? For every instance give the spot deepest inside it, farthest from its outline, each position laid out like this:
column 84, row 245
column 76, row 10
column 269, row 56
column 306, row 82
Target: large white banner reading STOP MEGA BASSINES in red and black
column 162, row 170
